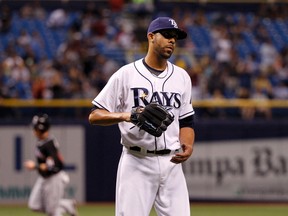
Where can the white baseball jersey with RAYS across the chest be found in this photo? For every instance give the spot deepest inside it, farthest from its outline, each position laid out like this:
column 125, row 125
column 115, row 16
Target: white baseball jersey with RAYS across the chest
column 134, row 85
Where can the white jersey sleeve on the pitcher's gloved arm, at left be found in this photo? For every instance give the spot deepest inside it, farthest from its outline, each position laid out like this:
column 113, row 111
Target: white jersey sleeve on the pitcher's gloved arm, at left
column 109, row 97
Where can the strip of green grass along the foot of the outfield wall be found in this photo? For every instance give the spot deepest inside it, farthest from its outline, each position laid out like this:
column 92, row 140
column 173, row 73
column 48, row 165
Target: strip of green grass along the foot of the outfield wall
column 196, row 210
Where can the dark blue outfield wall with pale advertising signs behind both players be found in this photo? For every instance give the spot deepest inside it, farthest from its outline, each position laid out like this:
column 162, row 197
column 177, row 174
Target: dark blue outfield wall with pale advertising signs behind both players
column 233, row 160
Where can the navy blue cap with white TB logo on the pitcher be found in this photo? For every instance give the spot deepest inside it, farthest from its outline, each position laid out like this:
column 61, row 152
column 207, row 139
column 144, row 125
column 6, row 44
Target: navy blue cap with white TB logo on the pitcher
column 166, row 23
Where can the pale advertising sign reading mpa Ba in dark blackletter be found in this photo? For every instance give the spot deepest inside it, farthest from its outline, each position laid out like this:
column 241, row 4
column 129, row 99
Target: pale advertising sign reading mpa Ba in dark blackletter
column 239, row 170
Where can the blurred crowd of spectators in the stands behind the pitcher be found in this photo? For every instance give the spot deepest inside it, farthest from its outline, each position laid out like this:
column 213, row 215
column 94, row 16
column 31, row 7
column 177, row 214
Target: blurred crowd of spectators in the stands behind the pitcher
column 80, row 69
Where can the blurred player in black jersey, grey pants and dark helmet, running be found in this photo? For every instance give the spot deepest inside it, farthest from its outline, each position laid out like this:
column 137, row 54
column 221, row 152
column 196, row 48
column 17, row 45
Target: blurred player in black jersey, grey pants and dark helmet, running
column 47, row 195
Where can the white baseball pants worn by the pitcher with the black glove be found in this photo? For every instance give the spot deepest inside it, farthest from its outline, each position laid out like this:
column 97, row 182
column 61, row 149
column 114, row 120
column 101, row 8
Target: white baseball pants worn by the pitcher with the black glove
column 144, row 181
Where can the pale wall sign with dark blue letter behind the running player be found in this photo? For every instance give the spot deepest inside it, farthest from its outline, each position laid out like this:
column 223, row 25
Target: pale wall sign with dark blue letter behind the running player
column 17, row 144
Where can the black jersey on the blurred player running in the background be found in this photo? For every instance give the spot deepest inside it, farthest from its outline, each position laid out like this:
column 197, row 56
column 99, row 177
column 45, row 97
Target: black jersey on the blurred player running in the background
column 47, row 152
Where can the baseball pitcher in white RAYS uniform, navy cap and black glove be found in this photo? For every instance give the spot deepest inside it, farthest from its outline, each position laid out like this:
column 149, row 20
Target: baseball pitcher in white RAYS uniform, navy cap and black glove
column 150, row 100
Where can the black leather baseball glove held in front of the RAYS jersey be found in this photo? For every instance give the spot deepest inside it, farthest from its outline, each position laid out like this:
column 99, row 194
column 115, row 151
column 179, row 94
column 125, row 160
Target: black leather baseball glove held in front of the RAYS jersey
column 153, row 118
